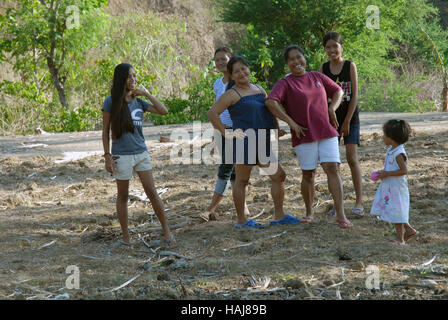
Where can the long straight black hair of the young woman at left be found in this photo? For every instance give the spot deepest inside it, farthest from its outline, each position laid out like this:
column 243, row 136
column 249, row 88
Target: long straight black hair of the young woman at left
column 121, row 120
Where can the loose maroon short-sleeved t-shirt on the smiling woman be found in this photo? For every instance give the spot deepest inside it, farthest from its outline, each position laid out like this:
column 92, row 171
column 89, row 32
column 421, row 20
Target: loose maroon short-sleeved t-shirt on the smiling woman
column 305, row 101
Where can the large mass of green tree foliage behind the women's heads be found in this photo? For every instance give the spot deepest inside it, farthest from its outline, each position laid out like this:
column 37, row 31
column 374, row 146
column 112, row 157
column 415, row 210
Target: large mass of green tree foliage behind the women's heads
column 274, row 24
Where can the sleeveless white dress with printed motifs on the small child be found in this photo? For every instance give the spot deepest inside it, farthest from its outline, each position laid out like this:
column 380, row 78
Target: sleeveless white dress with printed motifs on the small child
column 391, row 202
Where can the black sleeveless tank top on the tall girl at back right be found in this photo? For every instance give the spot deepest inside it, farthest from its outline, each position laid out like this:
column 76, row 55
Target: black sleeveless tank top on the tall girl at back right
column 343, row 79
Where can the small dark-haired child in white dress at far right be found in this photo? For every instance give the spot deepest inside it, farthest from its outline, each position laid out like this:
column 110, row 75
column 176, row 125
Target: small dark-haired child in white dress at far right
column 391, row 202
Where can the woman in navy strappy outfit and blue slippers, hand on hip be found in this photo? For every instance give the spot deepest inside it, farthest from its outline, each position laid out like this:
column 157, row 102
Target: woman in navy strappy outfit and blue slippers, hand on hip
column 246, row 104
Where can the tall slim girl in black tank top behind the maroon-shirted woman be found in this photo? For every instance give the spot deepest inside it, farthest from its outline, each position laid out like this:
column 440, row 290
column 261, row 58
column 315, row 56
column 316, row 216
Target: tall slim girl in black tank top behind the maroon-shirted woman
column 344, row 73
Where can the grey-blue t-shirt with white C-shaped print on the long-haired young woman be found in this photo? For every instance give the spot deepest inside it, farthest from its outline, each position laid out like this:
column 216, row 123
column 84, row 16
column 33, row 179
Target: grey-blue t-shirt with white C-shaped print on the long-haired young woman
column 130, row 143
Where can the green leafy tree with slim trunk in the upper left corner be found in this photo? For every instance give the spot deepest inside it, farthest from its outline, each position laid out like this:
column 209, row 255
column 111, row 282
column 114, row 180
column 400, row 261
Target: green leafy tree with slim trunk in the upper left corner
column 49, row 36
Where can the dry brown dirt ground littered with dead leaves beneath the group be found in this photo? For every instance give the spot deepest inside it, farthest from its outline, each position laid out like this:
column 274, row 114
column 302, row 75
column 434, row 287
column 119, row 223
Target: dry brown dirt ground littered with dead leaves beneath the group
column 56, row 215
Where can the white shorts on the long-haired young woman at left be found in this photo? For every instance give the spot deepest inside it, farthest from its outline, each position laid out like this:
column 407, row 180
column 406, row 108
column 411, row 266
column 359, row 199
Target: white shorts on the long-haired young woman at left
column 126, row 165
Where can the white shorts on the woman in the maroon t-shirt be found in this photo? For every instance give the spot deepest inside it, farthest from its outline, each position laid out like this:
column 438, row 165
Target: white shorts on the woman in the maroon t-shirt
column 310, row 154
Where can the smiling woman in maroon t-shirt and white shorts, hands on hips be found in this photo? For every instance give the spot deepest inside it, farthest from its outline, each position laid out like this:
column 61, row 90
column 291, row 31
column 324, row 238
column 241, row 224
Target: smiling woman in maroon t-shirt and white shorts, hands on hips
column 313, row 126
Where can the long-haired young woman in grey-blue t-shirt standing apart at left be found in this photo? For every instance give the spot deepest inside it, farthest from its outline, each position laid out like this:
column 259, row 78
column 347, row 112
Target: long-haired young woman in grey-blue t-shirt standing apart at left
column 123, row 116
